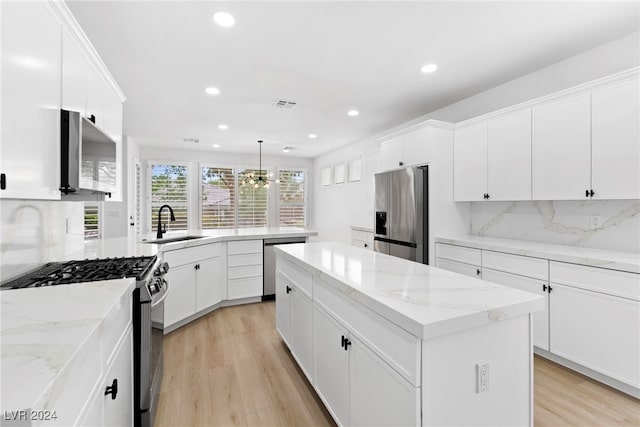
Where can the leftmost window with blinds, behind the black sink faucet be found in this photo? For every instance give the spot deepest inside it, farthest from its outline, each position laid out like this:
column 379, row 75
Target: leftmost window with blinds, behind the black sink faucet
column 169, row 185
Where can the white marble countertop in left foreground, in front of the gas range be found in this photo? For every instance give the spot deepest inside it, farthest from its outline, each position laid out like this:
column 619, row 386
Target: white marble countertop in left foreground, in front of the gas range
column 46, row 333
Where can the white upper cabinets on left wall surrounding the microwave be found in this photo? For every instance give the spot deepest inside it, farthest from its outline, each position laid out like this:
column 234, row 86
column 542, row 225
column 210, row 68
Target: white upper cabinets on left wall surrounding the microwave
column 48, row 64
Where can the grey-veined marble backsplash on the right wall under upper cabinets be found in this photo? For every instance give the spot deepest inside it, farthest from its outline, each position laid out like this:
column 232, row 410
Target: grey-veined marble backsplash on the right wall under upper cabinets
column 603, row 224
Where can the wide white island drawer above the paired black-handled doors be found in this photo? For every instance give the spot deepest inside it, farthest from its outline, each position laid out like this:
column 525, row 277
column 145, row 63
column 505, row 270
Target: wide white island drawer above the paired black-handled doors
column 394, row 345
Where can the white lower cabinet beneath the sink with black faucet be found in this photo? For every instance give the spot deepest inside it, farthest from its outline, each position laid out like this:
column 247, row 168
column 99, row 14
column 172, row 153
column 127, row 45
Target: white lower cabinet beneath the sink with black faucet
column 196, row 281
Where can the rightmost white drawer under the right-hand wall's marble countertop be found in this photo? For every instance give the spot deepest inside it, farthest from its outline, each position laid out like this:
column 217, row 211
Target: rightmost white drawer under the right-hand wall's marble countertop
column 612, row 282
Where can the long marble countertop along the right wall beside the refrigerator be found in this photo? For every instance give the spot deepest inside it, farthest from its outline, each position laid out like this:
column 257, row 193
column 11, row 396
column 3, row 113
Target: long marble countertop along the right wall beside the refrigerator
column 614, row 260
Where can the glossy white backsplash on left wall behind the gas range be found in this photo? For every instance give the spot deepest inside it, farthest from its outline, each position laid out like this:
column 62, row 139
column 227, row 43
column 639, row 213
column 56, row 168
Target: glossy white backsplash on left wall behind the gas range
column 33, row 232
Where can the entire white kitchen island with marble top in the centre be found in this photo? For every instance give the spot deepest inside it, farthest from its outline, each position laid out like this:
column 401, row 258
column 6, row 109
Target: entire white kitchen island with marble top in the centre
column 388, row 341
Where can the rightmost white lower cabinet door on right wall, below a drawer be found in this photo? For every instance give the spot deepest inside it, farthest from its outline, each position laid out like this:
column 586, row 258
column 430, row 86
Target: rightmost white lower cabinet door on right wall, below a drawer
column 598, row 331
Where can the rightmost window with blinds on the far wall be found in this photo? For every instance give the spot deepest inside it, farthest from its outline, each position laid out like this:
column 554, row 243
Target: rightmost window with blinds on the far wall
column 291, row 197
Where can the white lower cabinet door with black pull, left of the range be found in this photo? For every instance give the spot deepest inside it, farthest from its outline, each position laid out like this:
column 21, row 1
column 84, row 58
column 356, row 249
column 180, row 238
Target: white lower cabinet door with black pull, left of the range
column 116, row 407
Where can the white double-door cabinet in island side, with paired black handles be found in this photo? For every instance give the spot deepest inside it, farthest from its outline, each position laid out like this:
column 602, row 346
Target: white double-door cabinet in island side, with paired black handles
column 357, row 386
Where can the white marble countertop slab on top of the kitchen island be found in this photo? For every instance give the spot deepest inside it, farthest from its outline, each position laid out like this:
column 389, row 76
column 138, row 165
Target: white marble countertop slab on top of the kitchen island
column 426, row 301
